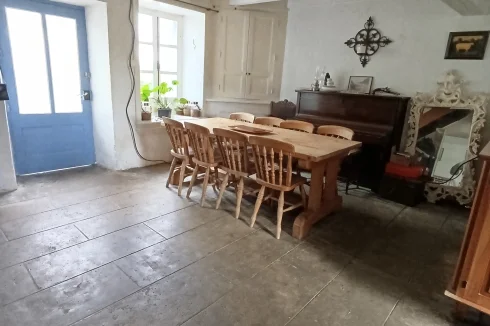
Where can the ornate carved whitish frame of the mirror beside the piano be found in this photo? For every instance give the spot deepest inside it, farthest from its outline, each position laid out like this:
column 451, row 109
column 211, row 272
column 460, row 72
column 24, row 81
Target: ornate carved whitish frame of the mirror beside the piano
column 449, row 95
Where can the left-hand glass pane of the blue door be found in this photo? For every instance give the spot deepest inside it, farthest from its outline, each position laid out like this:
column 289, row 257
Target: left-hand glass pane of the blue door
column 29, row 61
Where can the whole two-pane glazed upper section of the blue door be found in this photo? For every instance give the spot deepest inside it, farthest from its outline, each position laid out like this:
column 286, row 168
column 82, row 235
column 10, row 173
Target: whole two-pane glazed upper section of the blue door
column 38, row 84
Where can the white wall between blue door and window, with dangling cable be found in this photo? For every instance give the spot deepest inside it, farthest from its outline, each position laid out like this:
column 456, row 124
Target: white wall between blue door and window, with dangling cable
column 151, row 139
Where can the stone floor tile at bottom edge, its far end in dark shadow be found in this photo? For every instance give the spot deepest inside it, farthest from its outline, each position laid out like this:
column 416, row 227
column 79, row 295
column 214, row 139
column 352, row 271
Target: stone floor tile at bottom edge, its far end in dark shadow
column 358, row 296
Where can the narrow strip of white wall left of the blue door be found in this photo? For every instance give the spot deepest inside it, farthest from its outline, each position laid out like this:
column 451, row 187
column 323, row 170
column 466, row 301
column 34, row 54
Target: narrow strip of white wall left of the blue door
column 8, row 180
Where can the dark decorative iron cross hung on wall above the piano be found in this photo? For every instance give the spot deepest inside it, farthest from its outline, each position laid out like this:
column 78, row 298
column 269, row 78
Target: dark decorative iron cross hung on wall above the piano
column 367, row 42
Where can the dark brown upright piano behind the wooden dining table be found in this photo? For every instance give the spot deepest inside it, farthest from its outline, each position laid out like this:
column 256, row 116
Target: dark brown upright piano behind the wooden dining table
column 377, row 121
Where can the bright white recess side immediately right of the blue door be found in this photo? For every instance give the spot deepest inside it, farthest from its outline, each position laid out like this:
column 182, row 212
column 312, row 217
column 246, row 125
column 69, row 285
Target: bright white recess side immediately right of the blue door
column 98, row 50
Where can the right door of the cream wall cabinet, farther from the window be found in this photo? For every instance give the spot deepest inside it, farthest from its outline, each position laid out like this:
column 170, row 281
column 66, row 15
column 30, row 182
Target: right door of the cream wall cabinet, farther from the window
column 261, row 55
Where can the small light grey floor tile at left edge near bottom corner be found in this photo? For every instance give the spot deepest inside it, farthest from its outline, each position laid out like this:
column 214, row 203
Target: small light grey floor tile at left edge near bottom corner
column 15, row 283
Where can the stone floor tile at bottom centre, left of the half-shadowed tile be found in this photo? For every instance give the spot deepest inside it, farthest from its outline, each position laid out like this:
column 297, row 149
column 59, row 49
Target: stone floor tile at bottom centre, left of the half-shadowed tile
column 272, row 297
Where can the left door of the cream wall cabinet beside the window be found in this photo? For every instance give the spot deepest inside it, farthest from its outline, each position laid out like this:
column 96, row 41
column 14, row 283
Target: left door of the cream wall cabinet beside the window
column 233, row 53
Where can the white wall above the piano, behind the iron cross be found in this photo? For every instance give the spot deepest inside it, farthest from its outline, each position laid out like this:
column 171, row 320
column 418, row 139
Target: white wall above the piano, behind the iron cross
column 317, row 30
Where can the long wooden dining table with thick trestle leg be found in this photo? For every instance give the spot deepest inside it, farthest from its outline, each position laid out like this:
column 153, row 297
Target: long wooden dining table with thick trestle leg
column 325, row 155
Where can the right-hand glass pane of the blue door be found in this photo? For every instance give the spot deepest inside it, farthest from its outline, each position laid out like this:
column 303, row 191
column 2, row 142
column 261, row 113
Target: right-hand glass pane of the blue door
column 65, row 65
